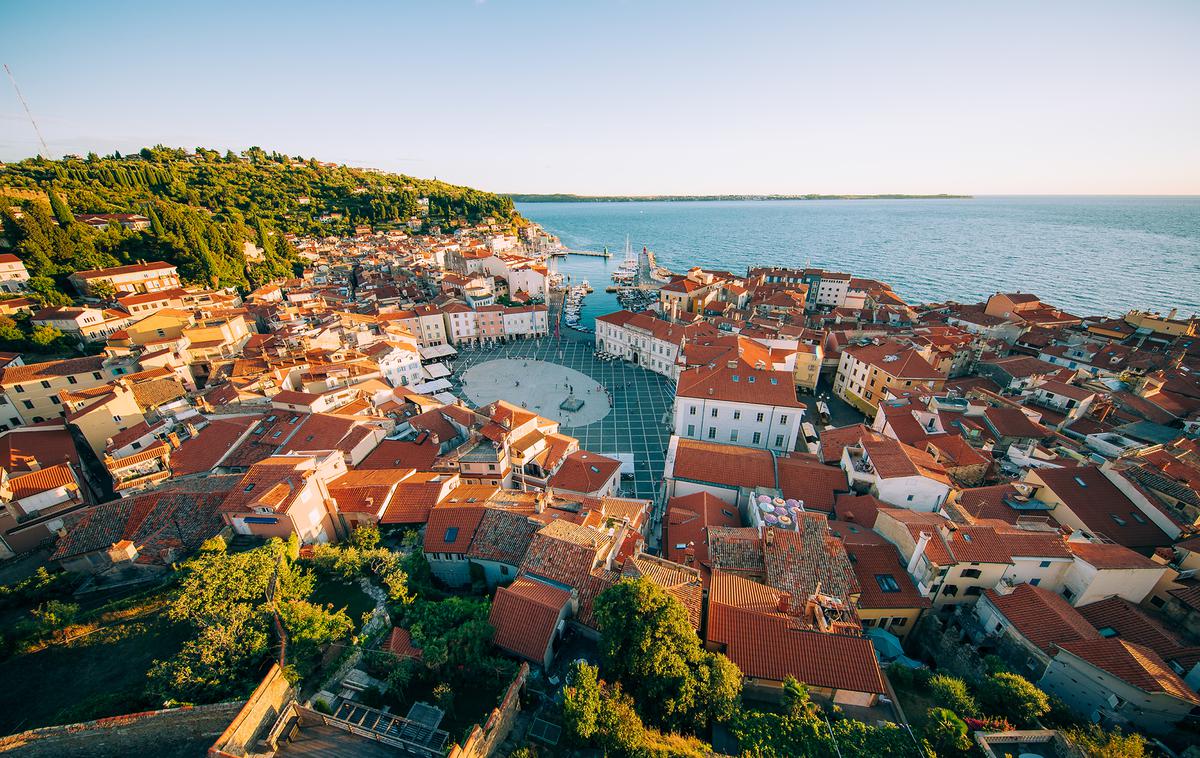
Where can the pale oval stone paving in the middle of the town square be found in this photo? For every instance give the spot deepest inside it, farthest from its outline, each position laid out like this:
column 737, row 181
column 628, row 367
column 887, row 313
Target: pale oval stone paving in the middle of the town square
column 537, row 387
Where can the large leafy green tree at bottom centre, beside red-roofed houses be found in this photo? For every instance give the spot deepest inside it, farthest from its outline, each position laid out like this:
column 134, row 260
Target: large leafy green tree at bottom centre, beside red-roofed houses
column 651, row 648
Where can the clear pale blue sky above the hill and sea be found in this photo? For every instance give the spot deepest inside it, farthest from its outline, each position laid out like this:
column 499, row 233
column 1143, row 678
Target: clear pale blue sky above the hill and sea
column 638, row 97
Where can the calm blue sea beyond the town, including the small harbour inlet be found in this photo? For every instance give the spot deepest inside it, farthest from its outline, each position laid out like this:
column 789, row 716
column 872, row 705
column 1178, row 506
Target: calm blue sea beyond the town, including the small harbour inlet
column 1087, row 255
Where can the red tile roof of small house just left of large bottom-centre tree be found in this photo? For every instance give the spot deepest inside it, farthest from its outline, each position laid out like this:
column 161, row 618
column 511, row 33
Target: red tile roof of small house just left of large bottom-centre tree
column 525, row 616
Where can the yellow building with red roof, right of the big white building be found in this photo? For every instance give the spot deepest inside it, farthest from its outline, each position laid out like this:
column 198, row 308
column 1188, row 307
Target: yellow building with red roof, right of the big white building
column 867, row 372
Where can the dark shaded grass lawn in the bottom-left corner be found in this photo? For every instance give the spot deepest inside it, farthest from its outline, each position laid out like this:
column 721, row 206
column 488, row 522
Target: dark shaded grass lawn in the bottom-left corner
column 103, row 675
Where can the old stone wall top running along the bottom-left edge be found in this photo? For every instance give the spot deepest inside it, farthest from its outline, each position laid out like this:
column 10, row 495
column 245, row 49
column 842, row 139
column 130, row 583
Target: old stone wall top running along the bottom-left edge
column 175, row 733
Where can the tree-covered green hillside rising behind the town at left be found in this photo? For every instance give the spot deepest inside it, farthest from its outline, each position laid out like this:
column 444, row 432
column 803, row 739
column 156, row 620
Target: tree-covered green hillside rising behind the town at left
column 205, row 207
